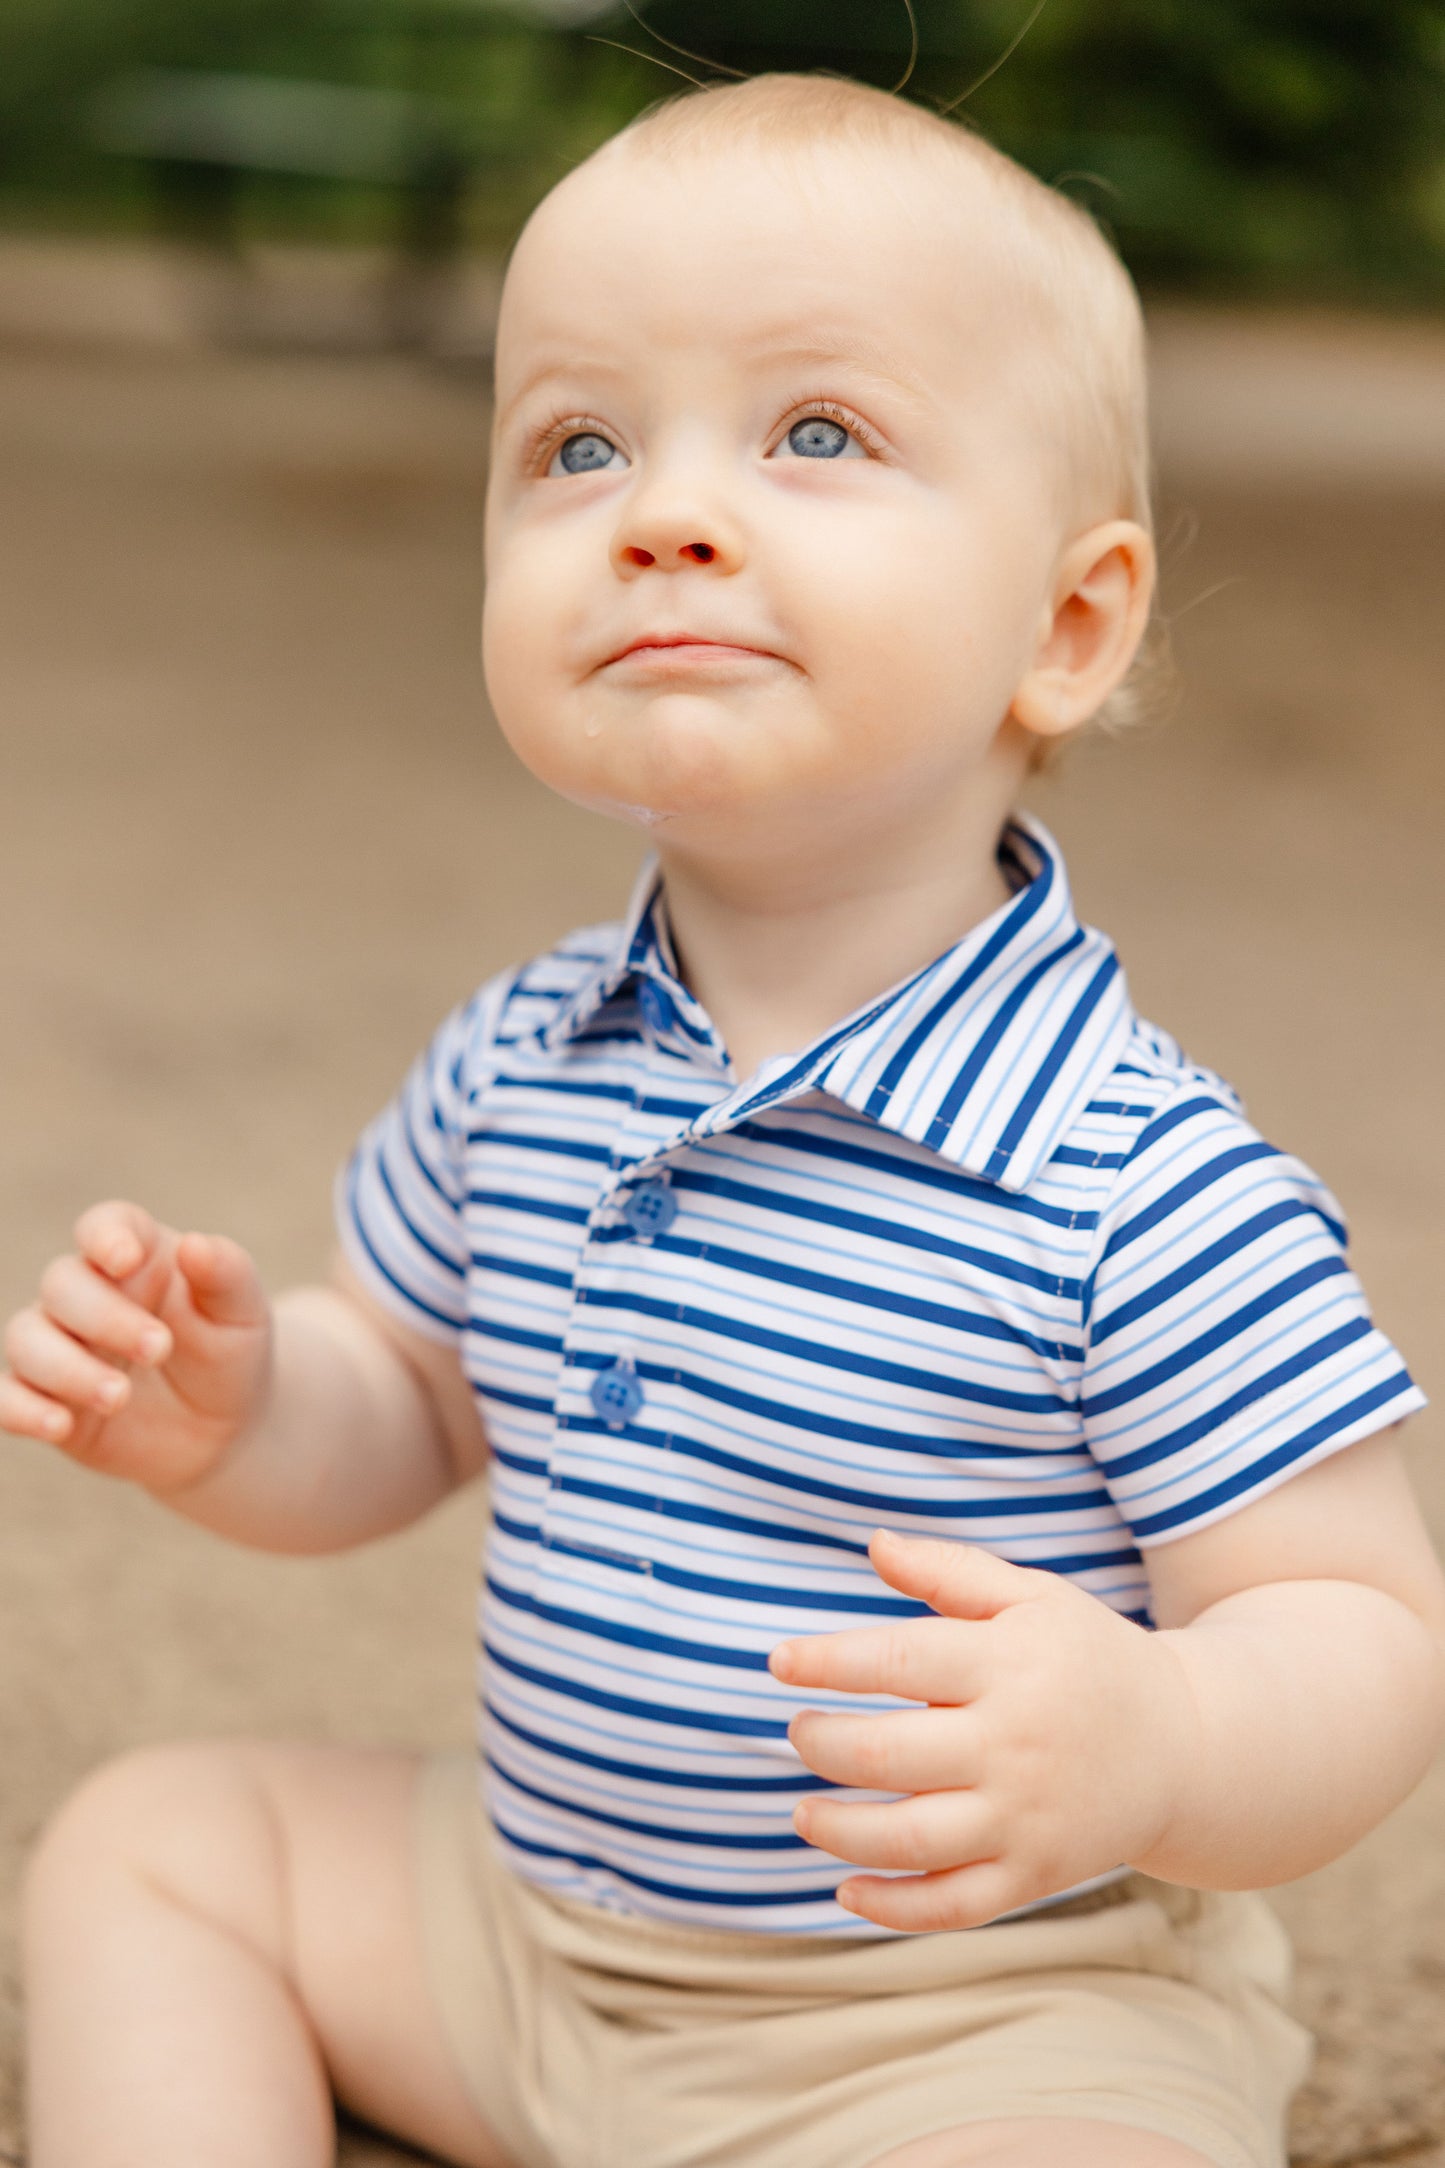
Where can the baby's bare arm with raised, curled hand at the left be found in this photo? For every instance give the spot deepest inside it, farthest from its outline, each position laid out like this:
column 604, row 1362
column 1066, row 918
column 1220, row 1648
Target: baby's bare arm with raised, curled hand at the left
column 307, row 1428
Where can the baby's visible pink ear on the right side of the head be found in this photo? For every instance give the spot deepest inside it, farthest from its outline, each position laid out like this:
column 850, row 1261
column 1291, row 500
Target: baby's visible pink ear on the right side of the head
column 1091, row 628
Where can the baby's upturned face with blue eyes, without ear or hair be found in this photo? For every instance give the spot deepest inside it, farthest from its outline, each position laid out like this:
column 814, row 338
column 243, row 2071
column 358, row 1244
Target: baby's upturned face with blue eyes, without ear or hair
column 772, row 519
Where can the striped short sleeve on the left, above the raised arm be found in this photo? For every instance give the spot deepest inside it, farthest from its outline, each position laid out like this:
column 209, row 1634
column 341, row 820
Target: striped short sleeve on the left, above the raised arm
column 402, row 1198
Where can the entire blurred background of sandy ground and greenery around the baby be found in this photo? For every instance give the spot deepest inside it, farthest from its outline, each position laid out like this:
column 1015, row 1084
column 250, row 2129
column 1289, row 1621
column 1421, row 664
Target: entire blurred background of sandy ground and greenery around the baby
column 259, row 834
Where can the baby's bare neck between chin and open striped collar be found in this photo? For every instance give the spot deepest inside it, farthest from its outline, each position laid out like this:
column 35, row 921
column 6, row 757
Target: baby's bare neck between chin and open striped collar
column 783, row 951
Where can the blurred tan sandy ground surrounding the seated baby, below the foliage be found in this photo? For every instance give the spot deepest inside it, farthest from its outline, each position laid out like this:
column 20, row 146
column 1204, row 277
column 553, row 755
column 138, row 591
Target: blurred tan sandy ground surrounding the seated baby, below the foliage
column 257, row 834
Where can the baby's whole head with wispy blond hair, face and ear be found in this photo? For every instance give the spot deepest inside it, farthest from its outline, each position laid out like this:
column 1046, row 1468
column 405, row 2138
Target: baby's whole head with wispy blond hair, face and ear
column 820, row 493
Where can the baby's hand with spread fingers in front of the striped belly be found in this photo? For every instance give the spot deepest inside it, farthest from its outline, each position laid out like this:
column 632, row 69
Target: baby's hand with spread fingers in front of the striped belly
column 1054, row 1746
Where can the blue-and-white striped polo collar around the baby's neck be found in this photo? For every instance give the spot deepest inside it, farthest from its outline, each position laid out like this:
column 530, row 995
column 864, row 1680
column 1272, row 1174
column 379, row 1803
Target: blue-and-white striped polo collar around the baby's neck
column 987, row 1057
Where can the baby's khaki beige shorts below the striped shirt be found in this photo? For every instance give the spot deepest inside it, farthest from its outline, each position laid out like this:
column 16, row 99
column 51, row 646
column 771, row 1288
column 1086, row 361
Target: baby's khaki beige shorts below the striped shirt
column 593, row 2041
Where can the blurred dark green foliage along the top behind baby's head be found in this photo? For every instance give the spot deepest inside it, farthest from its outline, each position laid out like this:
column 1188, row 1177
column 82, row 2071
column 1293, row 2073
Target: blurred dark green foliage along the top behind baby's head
column 1277, row 146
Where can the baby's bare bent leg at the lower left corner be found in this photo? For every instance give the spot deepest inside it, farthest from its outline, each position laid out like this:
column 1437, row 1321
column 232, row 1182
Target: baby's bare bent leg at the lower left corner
column 220, row 1939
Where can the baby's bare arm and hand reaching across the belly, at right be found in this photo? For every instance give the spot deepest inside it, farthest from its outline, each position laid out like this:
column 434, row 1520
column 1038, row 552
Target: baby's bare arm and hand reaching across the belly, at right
column 1290, row 1701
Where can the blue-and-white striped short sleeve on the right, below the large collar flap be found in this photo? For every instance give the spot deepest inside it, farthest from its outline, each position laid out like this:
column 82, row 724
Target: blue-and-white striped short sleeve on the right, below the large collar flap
column 1227, row 1341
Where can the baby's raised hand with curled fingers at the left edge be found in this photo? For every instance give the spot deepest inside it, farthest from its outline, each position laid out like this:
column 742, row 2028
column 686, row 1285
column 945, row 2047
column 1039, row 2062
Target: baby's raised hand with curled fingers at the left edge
column 146, row 1354
